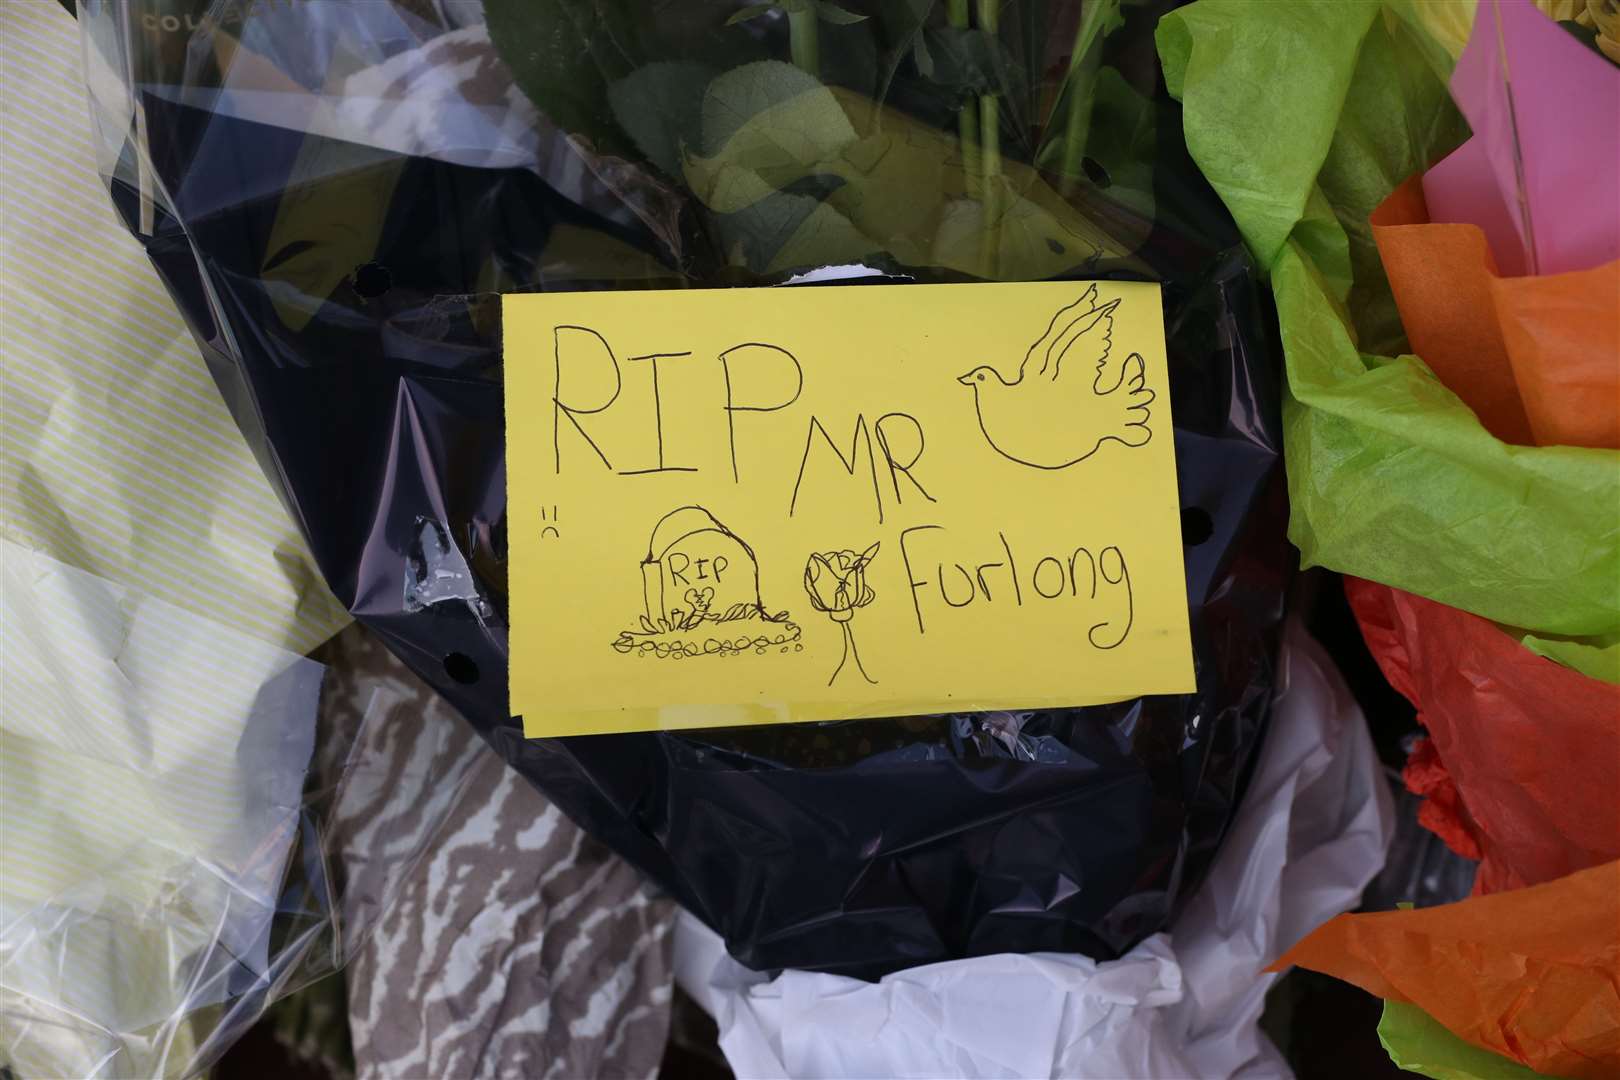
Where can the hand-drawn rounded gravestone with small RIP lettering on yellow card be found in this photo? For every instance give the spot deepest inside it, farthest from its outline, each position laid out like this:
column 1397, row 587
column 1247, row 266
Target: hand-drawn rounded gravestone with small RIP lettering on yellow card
column 696, row 563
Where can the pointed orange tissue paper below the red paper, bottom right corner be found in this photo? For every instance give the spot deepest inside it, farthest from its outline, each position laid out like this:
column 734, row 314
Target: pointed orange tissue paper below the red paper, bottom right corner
column 1530, row 974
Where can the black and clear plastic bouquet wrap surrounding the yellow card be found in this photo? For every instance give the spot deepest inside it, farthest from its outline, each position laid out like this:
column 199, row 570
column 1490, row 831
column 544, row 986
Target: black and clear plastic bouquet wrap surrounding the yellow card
column 338, row 193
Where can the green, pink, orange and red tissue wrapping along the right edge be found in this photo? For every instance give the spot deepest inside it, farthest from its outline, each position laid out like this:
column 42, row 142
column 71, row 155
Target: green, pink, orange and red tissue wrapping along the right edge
column 1443, row 240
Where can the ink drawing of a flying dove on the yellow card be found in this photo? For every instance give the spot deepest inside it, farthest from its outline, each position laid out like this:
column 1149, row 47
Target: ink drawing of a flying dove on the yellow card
column 1068, row 398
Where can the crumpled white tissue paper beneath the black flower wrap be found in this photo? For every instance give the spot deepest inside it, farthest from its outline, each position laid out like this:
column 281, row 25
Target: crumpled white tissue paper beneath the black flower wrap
column 1311, row 833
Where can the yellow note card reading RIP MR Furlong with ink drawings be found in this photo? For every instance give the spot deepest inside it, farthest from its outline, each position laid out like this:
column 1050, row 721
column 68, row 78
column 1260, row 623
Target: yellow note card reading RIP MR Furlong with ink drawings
column 808, row 504
